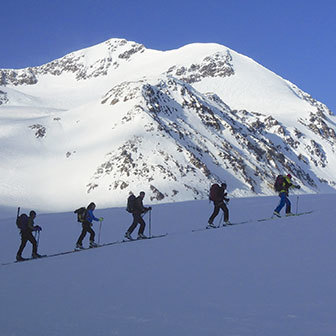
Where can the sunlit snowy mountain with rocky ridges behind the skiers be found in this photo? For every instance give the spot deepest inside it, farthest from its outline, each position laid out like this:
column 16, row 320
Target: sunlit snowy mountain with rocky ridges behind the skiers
column 116, row 117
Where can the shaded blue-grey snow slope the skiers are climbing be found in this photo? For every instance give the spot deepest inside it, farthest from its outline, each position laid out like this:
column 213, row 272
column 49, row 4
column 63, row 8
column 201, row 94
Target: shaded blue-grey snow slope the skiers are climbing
column 261, row 278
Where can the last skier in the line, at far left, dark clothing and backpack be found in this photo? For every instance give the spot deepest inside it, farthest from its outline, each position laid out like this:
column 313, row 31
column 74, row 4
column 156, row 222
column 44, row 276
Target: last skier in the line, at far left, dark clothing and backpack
column 26, row 235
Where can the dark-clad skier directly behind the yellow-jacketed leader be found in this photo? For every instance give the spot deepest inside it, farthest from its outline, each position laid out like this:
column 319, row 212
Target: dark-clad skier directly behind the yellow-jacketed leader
column 218, row 196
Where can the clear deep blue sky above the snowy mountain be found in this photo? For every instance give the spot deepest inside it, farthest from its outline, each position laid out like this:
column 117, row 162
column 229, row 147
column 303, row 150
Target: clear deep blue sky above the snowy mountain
column 295, row 39
